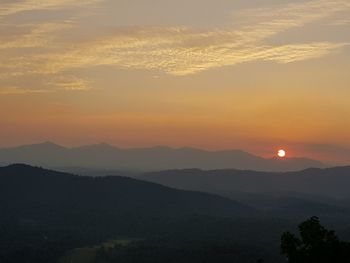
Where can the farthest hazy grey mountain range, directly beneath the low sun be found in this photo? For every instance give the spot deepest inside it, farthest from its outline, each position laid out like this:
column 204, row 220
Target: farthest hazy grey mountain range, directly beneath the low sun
column 104, row 156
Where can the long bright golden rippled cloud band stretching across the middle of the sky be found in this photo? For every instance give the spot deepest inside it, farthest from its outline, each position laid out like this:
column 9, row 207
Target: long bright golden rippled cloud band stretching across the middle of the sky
column 176, row 54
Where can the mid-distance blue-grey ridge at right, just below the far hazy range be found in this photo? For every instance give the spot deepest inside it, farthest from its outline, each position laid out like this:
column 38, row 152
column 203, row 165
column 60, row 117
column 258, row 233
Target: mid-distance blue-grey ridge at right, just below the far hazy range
column 332, row 182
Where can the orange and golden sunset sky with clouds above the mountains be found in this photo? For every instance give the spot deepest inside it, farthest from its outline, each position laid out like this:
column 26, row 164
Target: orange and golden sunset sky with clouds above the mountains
column 245, row 74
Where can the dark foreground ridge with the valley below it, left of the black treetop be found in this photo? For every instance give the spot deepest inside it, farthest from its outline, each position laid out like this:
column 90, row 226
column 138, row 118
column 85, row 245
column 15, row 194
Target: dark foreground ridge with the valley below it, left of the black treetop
column 48, row 216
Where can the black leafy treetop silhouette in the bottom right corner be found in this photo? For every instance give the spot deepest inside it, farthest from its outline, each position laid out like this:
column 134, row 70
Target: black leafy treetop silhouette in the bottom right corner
column 316, row 245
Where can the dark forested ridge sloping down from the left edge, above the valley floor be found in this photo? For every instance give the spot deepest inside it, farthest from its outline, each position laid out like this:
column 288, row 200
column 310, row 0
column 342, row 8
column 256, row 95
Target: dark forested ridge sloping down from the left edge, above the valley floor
column 37, row 194
